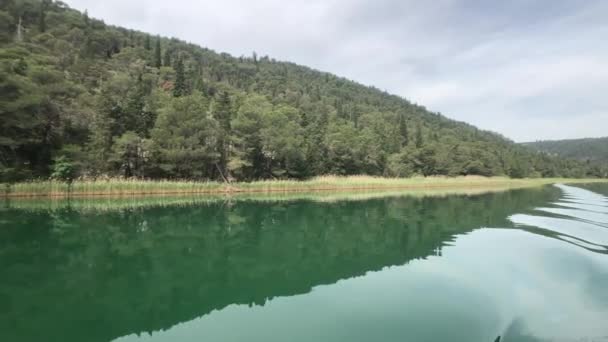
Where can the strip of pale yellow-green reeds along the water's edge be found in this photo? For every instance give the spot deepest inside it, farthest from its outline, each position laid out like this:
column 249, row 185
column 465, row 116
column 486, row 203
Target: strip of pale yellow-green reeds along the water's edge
column 133, row 187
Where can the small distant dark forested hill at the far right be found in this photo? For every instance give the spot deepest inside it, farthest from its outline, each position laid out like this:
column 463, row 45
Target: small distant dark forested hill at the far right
column 592, row 149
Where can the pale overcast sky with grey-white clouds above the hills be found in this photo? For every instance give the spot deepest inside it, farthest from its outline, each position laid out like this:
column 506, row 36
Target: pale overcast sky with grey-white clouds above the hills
column 528, row 69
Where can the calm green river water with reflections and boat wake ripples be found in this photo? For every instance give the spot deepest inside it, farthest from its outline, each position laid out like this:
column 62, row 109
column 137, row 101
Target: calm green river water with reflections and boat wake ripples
column 528, row 265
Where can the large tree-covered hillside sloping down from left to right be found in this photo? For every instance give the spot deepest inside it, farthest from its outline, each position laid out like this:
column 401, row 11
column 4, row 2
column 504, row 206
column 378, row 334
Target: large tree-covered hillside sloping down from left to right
column 81, row 98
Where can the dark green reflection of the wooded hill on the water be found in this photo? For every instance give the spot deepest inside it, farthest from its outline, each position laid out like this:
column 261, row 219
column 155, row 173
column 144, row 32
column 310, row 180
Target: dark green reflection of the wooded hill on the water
column 97, row 276
